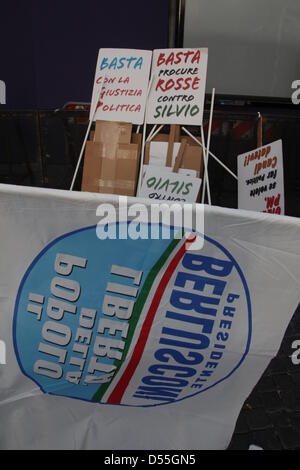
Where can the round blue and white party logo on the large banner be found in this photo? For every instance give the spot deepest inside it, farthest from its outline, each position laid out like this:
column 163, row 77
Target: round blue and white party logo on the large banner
column 131, row 322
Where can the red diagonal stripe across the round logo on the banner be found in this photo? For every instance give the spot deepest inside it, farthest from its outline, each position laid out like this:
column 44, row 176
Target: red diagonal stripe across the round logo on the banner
column 119, row 390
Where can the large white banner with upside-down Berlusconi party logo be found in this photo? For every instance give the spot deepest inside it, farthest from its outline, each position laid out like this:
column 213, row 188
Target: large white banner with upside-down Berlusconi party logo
column 135, row 343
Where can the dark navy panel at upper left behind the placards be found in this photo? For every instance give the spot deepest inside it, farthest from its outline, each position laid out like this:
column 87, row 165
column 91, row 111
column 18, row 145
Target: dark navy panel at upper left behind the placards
column 49, row 49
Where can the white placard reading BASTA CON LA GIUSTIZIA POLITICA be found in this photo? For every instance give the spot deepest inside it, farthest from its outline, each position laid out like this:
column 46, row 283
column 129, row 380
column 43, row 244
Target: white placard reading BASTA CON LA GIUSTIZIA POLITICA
column 123, row 75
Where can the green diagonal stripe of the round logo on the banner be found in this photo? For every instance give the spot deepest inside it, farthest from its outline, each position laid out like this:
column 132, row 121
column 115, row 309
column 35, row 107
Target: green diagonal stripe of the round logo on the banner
column 137, row 310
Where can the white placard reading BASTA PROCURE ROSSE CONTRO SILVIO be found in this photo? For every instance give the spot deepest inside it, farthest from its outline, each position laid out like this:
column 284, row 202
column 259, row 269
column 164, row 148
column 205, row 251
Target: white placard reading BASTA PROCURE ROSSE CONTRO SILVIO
column 178, row 88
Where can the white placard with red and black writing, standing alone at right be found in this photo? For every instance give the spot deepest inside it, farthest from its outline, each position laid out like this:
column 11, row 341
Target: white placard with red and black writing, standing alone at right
column 260, row 179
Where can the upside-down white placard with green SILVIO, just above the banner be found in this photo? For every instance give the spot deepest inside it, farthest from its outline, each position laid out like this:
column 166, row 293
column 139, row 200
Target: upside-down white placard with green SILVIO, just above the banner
column 161, row 183
